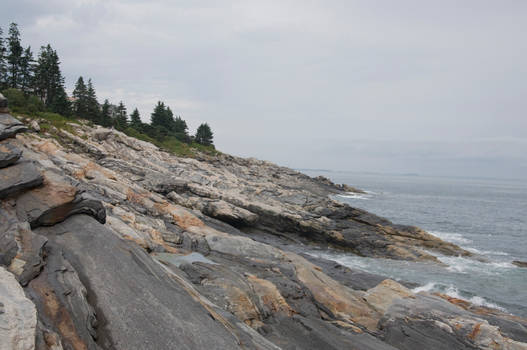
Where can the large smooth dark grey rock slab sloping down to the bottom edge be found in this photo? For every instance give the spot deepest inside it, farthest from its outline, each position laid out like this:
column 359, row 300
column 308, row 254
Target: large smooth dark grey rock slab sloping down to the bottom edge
column 142, row 307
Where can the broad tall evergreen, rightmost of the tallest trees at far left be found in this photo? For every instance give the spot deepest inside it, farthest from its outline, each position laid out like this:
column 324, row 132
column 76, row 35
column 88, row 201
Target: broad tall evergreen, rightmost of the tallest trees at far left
column 49, row 82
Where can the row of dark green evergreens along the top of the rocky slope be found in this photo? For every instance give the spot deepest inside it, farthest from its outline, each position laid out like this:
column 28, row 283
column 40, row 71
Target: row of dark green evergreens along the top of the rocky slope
column 38, row 85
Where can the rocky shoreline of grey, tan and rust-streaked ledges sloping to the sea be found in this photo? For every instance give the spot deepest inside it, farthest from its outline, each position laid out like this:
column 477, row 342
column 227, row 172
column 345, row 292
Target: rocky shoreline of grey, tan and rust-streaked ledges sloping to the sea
column 108, row 242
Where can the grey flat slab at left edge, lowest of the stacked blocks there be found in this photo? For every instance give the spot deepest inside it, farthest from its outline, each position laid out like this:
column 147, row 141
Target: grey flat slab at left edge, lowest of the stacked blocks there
column 19, row 177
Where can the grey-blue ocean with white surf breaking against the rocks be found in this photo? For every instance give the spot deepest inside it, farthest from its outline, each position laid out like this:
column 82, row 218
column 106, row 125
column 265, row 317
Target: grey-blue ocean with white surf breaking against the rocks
column 485, row 216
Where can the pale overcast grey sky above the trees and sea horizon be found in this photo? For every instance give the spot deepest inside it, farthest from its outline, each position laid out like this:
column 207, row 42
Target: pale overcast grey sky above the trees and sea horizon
column 407, row 86
